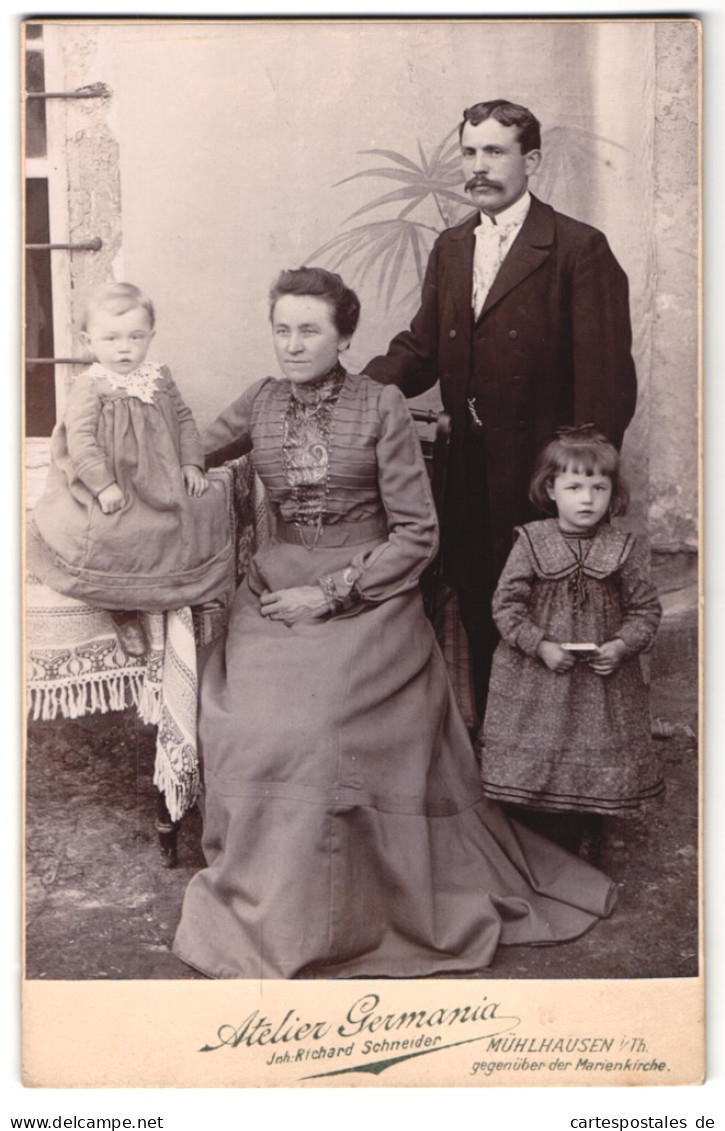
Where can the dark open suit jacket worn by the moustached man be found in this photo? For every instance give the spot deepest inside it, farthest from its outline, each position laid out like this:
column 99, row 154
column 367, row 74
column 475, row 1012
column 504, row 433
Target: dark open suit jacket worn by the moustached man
column 553, row 347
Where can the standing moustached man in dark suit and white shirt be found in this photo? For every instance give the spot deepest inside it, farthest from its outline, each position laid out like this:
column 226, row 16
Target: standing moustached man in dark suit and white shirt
column 525, row 321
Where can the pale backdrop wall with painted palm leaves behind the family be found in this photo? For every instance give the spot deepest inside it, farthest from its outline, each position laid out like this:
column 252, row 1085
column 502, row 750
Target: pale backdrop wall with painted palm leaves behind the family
column 223, row 149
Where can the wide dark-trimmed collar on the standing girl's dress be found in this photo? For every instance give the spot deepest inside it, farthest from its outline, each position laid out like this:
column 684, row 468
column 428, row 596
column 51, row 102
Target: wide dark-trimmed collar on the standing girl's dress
column 557, row 557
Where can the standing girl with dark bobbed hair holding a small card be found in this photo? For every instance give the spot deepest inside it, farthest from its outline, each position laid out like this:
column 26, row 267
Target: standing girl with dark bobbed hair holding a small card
column 567, row 727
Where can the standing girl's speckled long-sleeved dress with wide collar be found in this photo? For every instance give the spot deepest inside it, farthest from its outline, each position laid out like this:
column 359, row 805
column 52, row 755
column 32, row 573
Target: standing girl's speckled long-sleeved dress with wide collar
column 575, row 740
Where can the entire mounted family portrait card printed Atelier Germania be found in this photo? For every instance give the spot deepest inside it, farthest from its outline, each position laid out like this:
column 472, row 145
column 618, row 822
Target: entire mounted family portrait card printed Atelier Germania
column 361, row 549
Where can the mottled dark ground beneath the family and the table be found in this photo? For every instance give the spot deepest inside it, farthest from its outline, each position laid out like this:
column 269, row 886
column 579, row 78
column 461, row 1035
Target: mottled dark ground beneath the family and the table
column 100, row 904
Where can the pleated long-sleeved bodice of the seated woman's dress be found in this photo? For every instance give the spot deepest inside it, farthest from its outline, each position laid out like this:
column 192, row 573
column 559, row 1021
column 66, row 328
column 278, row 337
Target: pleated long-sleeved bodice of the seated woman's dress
column 372, row 480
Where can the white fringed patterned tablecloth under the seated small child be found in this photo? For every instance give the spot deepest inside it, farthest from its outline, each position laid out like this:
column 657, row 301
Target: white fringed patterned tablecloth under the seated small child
column 77, row 668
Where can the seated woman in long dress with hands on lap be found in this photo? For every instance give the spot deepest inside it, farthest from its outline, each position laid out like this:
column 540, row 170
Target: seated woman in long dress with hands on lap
column 344, row 827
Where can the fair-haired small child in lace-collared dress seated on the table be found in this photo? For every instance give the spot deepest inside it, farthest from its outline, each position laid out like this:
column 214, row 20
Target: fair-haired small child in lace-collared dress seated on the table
column 128, row 520
